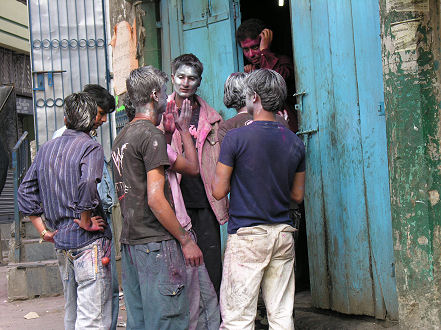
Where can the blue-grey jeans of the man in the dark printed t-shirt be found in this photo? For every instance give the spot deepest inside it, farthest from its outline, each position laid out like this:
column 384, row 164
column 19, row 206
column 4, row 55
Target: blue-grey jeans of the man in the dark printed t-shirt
column 153, row 279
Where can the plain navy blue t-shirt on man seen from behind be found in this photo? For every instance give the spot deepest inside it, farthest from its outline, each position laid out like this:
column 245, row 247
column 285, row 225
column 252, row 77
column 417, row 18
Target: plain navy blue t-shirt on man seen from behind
column 265, row 157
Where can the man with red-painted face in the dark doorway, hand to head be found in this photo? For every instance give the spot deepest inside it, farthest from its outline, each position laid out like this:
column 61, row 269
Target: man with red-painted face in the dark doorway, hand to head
column 255, row 39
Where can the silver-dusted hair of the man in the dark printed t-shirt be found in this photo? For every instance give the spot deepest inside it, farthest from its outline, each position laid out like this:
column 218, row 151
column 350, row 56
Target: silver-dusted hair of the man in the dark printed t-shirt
column 142, row 82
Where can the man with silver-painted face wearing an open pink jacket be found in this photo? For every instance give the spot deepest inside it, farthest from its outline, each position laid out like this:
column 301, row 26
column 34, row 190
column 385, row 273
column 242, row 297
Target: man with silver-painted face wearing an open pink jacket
column 205, row 212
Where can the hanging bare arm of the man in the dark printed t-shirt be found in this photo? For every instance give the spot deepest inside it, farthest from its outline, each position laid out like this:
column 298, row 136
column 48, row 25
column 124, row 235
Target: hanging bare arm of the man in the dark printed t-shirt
column 165, row 215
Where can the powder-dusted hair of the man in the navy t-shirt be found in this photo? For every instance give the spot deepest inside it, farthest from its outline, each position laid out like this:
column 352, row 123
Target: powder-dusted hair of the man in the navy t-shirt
column 270, row 86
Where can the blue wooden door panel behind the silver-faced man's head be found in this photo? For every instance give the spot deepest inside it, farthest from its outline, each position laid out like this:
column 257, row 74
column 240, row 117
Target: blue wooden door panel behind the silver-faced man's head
column 205, row 28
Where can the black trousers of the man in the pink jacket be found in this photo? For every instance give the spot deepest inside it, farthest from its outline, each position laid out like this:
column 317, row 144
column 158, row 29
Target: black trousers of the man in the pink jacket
column 206, row 227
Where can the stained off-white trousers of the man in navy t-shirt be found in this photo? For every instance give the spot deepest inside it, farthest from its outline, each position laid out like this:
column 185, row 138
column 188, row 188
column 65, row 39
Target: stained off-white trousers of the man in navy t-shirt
column 260, row 256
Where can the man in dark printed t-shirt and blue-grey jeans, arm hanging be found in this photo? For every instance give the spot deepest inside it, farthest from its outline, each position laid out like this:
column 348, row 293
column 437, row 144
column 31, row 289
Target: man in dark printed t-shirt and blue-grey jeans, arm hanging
column 153, row 243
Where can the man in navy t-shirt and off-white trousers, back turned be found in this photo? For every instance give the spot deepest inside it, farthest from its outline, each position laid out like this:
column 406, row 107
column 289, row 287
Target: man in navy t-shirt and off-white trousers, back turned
column 263, row 164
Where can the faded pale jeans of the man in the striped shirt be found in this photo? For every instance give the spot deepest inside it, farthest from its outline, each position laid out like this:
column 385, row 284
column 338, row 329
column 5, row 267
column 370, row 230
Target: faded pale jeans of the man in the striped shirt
column 86, row 286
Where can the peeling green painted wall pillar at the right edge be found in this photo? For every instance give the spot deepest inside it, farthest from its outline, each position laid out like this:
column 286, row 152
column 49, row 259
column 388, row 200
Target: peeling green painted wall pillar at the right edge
column 411, row 55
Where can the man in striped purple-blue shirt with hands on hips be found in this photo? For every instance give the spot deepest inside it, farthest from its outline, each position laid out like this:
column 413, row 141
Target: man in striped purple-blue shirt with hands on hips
column 62, row 184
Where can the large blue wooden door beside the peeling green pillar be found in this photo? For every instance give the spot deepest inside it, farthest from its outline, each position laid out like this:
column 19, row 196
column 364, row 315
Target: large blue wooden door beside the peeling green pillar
column 337, row 54
